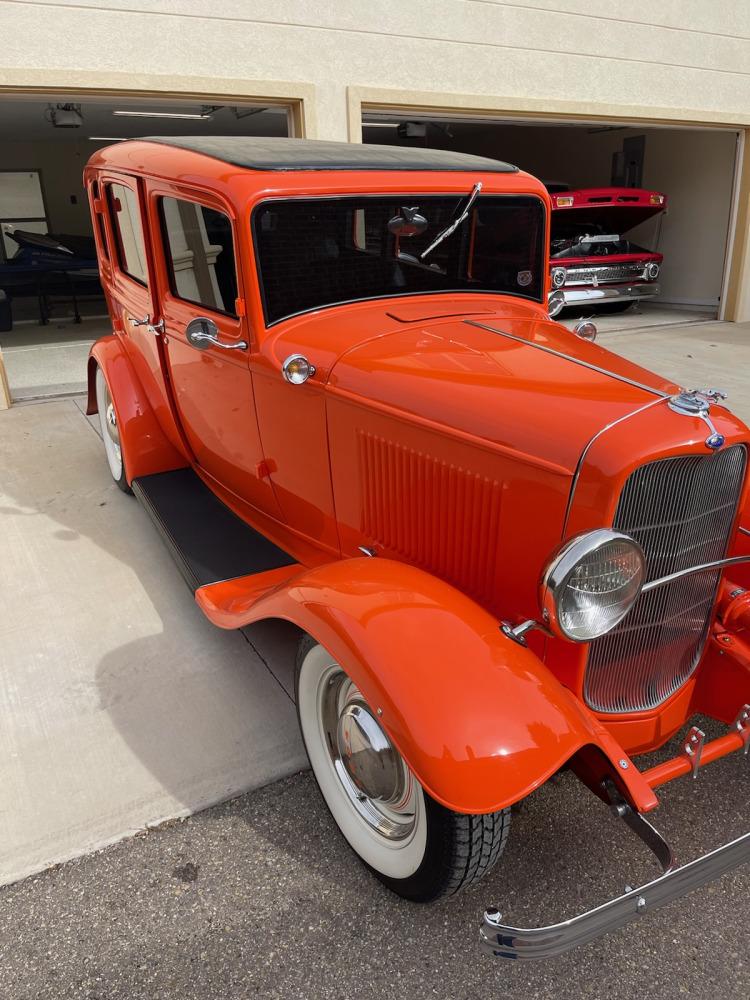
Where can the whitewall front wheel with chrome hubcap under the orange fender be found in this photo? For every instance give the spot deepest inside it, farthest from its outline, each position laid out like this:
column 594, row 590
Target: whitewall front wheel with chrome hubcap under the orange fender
column 415, row 846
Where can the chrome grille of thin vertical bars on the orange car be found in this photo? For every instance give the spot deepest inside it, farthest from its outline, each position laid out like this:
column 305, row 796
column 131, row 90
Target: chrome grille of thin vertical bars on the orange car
column 681, row 510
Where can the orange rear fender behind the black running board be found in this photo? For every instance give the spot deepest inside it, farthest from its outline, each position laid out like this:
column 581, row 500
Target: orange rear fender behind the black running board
column 145, row 448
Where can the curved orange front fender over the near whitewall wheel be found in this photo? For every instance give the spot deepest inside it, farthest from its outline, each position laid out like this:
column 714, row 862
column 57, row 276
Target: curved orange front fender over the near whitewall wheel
column 479, row 718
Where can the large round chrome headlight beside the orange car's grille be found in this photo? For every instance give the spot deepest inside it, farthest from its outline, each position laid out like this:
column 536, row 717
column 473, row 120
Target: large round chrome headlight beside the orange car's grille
column 591, row 584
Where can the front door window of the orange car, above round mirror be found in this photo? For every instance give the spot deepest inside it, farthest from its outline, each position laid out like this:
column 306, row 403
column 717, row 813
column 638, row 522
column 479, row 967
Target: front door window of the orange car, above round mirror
column 199, row 252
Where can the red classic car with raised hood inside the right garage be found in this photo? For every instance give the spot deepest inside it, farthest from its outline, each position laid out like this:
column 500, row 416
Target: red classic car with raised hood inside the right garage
column 592, row 264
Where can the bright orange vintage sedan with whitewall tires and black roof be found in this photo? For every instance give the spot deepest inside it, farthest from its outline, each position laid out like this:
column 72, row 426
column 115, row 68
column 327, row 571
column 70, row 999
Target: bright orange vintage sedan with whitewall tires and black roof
column 334, row 385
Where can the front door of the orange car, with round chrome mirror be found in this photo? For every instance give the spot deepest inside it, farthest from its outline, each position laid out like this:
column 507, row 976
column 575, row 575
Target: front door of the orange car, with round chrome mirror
column 207, row 341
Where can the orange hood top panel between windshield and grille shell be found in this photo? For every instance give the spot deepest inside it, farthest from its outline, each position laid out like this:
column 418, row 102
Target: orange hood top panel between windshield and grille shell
column 523, row 383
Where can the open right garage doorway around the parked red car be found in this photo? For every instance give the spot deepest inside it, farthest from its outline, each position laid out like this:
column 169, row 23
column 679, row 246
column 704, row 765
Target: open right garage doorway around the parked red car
column 694, row 168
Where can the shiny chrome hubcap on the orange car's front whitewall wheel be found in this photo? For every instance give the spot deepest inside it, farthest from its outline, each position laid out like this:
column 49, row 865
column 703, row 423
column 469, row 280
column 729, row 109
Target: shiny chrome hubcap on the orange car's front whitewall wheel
column 371, row 771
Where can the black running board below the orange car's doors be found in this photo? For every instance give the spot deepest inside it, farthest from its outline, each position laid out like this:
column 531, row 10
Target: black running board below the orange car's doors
column 207, row 540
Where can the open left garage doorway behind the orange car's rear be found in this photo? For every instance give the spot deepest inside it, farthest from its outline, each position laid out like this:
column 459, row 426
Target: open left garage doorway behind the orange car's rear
column 51, row 303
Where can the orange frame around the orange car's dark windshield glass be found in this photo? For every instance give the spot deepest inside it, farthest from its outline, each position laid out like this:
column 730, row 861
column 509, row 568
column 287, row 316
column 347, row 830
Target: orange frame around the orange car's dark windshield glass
column 404, row 195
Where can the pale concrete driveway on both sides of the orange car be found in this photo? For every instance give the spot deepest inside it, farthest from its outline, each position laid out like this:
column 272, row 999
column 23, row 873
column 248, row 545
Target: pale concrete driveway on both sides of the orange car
column 120, row 706
